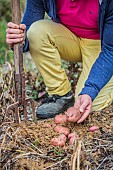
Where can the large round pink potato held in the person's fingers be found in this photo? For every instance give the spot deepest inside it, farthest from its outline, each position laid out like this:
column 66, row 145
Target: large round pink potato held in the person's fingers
column 73, row 114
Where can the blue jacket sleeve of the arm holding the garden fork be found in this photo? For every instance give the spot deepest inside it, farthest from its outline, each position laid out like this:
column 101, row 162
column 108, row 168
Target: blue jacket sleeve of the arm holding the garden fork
column 34, row 11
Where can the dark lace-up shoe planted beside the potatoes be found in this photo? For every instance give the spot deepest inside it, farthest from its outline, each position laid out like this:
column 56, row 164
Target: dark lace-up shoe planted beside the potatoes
column 55, row 105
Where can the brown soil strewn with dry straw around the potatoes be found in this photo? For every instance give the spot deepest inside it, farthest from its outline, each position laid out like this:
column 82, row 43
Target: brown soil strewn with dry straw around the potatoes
column 26, row 146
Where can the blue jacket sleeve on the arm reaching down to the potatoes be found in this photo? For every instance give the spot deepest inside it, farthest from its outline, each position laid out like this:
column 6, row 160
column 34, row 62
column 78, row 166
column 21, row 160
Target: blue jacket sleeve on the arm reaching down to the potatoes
column 102, row 70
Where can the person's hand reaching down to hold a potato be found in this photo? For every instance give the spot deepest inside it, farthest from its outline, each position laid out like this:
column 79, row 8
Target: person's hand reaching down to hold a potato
column 85, row 103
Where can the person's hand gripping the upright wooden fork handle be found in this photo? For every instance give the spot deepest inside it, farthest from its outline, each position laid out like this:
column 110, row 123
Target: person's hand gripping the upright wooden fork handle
column 15, row 33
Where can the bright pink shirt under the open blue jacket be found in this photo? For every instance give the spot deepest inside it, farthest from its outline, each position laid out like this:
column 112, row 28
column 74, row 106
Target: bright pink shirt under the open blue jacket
column 80, row 17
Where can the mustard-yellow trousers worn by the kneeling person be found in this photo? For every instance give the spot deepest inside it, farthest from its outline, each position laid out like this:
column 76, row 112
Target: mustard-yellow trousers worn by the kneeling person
column 50, row 42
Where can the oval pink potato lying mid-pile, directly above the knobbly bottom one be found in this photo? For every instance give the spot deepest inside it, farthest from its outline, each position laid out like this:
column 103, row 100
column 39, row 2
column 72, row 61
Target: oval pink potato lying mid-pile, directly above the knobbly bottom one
column 62, row 130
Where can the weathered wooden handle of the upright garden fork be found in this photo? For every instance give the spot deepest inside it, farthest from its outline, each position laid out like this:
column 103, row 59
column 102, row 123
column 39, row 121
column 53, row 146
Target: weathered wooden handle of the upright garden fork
column 18, row 55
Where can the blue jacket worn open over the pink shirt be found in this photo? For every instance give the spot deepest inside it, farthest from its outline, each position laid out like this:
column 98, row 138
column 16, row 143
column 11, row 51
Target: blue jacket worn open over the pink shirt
column 102, row 69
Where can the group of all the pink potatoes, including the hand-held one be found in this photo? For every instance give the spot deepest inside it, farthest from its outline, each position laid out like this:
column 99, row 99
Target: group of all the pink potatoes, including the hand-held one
column 73, row 114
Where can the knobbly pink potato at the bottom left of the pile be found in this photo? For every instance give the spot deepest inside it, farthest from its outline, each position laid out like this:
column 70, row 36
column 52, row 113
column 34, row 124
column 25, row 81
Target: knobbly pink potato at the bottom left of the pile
column 59, row 141
